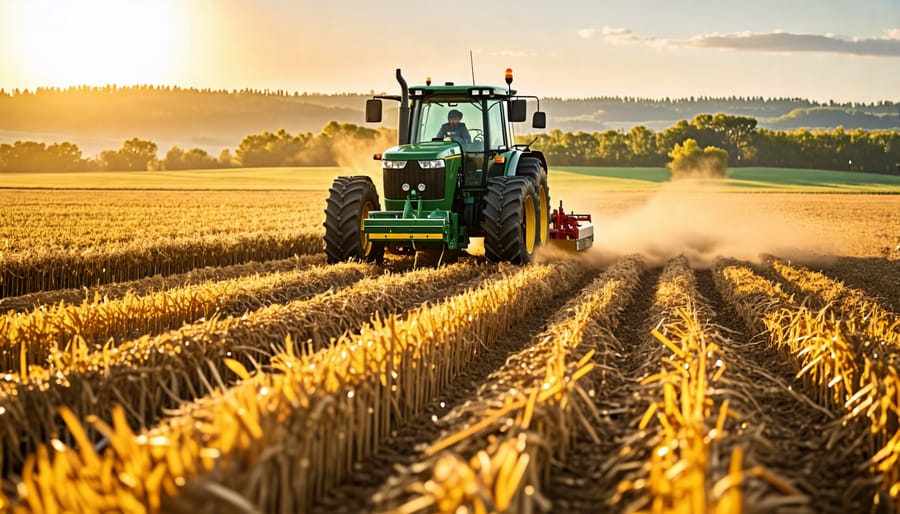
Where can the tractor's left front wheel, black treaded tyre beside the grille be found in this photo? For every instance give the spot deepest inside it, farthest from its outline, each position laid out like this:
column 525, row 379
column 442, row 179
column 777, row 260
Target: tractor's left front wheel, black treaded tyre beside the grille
column 350, row 199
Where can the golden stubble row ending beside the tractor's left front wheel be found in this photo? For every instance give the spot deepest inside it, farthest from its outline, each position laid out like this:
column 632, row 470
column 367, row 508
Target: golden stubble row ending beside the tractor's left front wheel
column 58, row 332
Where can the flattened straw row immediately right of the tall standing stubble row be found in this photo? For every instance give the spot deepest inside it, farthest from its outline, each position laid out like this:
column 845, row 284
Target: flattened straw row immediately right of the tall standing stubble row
column 525, row 414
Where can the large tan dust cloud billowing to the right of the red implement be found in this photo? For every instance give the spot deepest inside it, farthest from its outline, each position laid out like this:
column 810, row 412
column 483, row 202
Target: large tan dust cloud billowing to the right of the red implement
column 682, row 218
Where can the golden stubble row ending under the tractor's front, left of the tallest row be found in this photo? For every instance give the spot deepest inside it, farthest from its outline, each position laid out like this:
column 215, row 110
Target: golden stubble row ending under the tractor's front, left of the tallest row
column 154, row 373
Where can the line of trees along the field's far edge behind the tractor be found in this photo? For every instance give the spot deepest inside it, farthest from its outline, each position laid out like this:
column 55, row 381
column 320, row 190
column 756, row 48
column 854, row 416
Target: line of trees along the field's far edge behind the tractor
column 746, row 145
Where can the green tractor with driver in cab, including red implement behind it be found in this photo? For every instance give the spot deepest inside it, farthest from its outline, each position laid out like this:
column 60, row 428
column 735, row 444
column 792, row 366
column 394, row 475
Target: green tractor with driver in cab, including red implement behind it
column 455, row 174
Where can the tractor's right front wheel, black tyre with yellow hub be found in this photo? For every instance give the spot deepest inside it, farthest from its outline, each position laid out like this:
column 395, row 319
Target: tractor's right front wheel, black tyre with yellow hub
column 510, row 220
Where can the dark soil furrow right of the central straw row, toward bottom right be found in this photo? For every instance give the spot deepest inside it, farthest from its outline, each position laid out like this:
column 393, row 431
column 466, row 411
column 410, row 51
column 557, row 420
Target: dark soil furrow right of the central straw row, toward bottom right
column 784, row 431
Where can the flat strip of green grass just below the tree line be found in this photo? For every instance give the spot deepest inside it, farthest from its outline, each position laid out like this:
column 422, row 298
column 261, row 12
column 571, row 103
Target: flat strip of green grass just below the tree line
column 584, row 179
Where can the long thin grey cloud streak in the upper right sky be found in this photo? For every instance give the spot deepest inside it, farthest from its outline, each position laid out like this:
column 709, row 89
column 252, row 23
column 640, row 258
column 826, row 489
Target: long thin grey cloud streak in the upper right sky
column 775, row 42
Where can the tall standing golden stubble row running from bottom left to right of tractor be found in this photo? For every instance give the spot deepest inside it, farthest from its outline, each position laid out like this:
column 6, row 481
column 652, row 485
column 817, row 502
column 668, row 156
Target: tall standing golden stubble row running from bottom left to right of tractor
column 320, row 402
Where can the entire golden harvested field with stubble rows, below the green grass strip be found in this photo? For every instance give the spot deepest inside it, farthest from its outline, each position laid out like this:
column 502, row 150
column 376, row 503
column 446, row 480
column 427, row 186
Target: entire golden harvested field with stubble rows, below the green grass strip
column 669, row 369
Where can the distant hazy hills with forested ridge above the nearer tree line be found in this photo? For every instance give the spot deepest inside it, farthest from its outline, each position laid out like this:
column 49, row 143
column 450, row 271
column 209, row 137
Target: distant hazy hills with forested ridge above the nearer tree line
column 226, row 115
